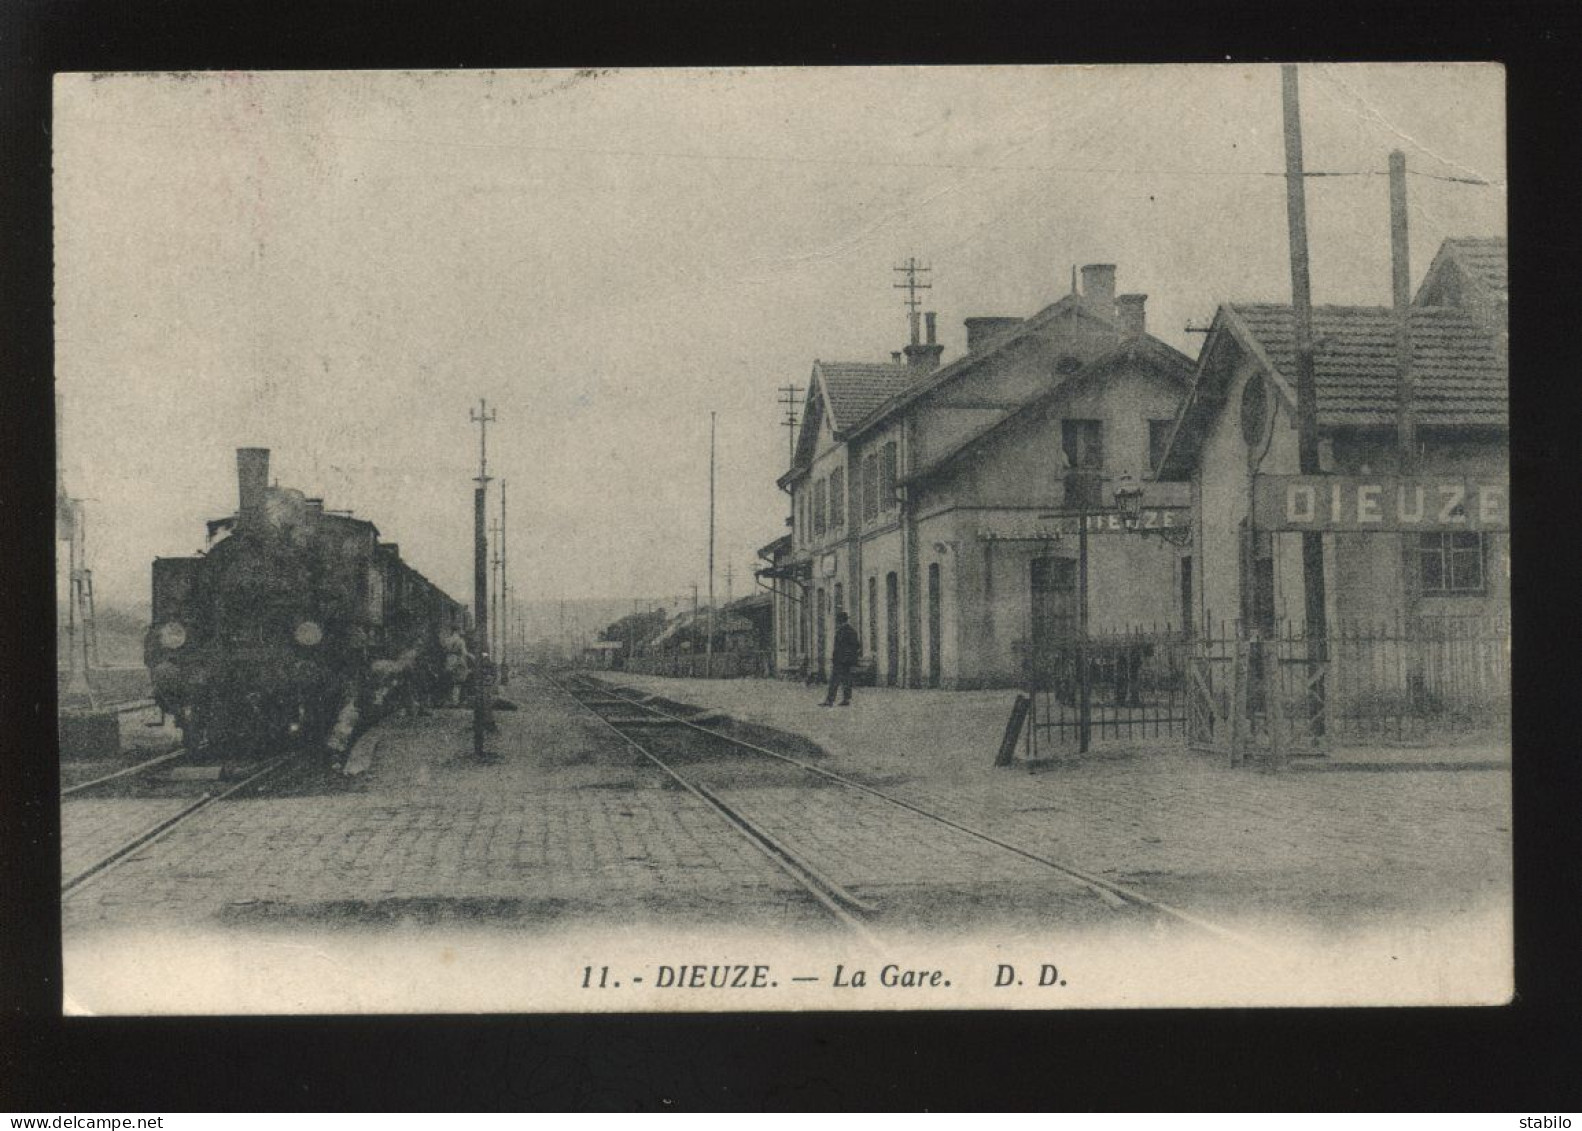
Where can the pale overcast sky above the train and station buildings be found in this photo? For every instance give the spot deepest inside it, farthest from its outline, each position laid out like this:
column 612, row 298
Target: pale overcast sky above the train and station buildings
column 339, row 265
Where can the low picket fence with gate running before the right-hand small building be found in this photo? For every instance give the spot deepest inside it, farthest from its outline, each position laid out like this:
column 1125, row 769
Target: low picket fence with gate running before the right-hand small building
column 1410, row 679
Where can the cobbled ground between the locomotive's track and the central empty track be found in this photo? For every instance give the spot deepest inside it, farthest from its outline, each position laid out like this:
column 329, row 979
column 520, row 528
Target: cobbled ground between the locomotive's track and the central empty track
column 564, row 825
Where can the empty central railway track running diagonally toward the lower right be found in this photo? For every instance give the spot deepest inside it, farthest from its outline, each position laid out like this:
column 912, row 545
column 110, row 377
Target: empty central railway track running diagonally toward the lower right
column 860, row 917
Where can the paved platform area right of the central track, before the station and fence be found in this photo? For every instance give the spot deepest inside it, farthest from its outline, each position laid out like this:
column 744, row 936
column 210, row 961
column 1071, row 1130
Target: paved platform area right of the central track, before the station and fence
column 1333, row 850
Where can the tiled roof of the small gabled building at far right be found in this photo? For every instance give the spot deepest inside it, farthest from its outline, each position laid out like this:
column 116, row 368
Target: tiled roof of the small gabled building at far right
column 1461, row 373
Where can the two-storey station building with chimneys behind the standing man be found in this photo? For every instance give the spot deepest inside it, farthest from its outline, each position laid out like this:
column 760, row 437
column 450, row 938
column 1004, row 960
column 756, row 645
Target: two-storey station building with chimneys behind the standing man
column 934, row 504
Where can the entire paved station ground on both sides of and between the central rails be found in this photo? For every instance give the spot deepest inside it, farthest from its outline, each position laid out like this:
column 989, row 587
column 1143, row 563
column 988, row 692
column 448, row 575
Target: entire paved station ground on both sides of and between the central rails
column 570, row 826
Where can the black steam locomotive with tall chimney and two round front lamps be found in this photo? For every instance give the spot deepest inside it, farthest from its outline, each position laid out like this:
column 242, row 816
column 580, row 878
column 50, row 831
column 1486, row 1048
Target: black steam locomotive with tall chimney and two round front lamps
column 286, row 629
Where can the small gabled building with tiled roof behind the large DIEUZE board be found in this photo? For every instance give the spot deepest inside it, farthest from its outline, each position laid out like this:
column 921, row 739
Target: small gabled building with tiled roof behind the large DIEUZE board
column 1239, row 422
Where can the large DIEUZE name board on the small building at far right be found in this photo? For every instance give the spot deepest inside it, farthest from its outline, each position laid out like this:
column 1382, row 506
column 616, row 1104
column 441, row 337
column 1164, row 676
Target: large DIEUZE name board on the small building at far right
column 1380, row 502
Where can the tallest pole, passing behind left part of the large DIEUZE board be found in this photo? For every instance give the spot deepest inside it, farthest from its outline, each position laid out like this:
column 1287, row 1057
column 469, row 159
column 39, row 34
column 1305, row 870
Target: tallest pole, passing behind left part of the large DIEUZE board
column 1306, row 398
